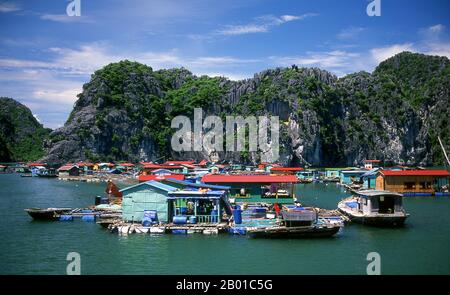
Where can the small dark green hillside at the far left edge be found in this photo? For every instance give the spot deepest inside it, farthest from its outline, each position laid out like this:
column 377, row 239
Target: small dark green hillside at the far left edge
column 21, row 135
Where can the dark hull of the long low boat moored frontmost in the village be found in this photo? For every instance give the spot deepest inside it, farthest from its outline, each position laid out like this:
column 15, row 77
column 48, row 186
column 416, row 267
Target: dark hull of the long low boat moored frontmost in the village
column 294, row 232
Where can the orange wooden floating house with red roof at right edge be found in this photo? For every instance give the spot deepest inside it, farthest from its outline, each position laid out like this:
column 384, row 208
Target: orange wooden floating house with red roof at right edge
column 413, row 182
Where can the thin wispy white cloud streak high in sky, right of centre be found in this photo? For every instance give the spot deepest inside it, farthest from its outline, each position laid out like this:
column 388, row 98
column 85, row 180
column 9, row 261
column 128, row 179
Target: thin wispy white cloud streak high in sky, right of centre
column 262, row 24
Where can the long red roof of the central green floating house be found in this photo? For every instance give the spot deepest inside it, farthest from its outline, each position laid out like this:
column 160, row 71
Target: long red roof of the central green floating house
column 225, row 178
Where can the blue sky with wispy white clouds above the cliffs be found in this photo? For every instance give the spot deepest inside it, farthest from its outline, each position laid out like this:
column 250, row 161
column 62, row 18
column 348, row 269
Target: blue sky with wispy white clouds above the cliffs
column 46, row 55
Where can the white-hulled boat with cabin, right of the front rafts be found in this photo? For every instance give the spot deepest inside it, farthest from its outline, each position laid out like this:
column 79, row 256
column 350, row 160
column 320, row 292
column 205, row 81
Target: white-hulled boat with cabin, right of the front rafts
column 374, row 207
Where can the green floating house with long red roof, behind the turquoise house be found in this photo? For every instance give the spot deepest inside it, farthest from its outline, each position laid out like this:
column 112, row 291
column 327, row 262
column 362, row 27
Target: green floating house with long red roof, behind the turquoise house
column 256, row 188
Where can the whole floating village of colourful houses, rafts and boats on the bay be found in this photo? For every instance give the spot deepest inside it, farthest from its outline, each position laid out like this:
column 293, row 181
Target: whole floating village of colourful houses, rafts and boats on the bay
column 185, row 197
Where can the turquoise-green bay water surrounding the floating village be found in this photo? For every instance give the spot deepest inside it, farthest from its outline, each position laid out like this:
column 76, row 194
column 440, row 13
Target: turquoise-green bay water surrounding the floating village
column 31, row 247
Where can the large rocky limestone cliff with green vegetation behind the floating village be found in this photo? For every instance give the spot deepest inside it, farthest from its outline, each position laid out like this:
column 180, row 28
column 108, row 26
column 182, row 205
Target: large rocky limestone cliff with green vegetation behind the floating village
column 394, row 114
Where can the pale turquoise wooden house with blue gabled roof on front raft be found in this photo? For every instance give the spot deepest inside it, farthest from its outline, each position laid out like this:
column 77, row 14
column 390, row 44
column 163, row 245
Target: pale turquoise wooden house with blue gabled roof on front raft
column 150, row 195
